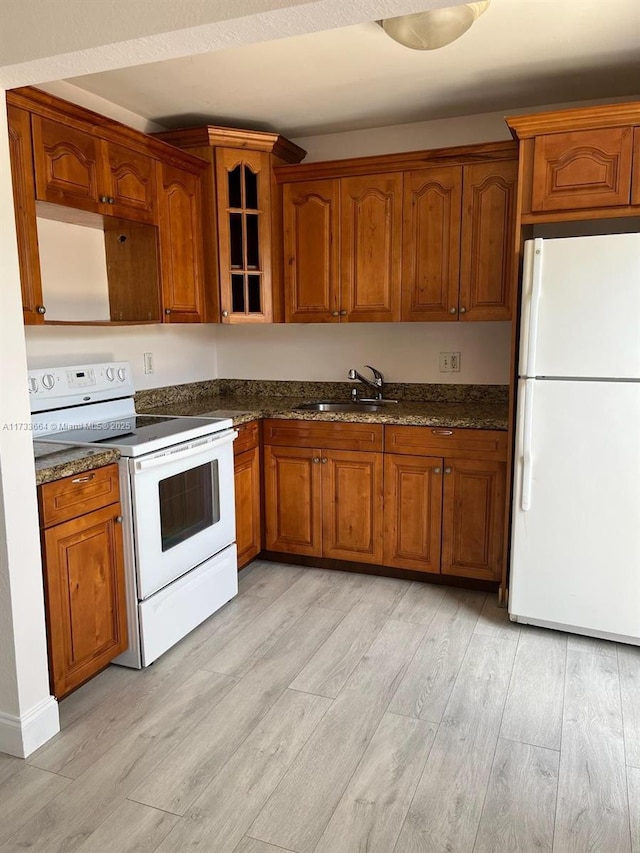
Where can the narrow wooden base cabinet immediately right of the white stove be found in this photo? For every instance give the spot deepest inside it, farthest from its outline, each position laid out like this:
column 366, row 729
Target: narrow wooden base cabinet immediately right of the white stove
column 248, row 493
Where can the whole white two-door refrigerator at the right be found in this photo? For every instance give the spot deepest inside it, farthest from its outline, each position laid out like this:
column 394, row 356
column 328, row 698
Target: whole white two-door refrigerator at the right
column 575, row 547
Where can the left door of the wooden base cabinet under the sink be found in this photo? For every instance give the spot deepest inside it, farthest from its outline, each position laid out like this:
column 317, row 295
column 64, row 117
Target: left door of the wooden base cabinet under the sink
column 293, row 500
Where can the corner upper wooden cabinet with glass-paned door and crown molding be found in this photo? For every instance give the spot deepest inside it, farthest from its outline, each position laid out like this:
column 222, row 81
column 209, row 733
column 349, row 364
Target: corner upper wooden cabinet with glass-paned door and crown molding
column 242, row 225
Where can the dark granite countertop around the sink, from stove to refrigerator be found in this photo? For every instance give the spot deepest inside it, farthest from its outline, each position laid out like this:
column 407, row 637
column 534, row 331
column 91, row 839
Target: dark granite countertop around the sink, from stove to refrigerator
column 475, row 414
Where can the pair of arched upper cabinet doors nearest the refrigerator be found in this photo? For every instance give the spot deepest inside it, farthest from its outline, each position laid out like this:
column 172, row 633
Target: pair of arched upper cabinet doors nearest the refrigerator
column 458, row 261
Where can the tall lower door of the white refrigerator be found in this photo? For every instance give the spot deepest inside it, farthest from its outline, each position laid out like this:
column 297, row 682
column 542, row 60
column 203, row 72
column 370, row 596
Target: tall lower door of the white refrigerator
column 575, row 550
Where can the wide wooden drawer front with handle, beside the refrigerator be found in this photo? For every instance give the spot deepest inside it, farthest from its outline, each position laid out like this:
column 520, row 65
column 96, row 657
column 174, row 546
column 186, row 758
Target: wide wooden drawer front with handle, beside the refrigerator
column 484, row 444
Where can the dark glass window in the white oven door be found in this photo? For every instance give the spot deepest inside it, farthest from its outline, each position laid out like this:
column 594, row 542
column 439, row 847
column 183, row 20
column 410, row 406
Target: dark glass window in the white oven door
column 189, row 503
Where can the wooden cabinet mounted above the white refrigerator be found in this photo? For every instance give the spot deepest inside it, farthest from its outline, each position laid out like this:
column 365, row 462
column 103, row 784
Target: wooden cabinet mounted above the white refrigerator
column 579, row 164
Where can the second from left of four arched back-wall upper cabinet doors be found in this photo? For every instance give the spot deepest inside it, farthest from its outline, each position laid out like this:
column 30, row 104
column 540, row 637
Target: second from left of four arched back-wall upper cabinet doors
column 371, row 247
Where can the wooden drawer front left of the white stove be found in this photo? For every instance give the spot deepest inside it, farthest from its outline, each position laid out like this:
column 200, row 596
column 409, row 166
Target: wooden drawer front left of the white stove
column 76, row 495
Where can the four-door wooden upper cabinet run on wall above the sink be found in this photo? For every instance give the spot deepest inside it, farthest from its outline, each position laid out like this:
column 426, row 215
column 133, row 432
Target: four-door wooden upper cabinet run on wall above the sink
column 421, row 236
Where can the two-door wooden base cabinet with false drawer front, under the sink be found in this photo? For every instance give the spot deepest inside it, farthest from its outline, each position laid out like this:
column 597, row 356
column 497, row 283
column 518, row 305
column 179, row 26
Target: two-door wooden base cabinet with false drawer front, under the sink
column 321, row 501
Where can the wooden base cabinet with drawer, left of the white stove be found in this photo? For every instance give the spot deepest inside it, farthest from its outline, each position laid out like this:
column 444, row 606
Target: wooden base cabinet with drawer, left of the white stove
column 83, row 567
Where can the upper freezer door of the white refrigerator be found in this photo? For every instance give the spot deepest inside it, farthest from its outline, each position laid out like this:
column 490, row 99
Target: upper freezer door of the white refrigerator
column 581, row 307
